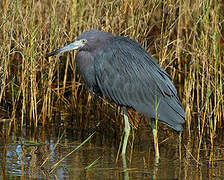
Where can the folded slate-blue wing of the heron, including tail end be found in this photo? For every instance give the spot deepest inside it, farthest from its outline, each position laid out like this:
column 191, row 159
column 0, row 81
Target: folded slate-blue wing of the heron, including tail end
column 127, row 75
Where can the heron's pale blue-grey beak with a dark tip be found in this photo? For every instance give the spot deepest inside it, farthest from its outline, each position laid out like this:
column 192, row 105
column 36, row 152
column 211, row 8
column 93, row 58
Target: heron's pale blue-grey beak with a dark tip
column 75, row 45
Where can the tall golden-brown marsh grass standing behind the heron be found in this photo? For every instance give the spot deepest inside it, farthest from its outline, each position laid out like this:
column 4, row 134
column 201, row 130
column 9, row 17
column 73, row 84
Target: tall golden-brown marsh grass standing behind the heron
column 185, row 38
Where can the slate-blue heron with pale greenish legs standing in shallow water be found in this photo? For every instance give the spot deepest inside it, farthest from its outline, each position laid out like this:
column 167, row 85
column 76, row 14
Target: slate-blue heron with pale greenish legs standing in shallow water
column 121, row 70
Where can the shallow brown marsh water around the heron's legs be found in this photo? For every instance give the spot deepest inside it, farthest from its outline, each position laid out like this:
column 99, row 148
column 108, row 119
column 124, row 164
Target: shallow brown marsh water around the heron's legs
column 32, row 154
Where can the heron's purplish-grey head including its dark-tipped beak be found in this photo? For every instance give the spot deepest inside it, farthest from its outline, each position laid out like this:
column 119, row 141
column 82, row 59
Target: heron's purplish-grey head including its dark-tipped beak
column 87, row 41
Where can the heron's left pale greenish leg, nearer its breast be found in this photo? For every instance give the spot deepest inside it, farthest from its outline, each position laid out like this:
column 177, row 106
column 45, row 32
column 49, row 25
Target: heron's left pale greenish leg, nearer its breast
column 126, row 131
